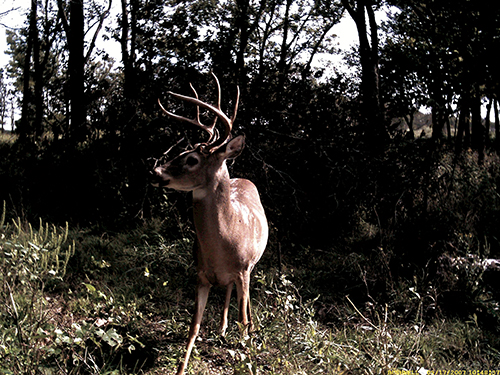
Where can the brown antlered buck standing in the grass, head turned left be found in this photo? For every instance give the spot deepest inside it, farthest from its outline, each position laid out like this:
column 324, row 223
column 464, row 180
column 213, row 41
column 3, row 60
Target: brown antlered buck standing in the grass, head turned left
column 231, row 226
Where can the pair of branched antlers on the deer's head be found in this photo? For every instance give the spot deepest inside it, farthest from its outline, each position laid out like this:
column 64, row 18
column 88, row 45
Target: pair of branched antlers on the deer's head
column 215, row 140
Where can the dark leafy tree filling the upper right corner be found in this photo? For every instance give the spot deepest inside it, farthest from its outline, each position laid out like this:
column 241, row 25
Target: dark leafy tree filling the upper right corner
column 452, row 44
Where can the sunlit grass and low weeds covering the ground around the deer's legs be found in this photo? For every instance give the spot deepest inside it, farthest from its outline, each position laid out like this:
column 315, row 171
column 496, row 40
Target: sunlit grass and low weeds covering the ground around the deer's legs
column 83, row 301
